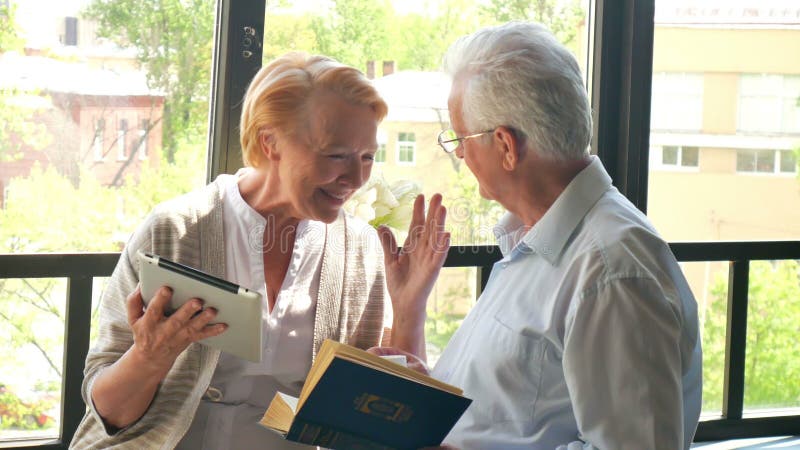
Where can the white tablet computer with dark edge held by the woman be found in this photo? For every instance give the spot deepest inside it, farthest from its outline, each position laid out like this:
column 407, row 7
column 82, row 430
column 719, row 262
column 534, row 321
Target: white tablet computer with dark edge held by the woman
column 236, row 306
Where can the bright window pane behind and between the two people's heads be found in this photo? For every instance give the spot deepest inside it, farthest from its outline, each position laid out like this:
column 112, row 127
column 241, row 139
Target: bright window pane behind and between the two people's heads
column 400, row 44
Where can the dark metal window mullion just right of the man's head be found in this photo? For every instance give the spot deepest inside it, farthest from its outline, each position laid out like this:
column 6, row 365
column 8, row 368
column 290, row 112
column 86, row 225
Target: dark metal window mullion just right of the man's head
column 621, row 88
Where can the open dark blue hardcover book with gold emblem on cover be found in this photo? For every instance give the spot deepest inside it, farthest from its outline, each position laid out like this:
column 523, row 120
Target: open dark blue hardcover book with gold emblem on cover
column 355, row 400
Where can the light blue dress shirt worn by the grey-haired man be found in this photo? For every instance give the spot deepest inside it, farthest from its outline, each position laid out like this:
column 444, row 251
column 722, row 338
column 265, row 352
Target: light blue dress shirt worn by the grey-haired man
column 586, row 335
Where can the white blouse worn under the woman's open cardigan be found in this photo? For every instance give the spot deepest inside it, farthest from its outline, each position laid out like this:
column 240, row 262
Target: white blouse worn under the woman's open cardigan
column 240, row 390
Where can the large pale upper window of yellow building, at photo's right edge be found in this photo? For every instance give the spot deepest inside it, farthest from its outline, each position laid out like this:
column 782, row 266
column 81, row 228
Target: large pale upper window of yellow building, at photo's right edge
column 768, row 103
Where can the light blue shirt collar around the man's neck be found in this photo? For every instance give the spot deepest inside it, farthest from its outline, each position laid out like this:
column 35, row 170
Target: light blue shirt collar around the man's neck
column 550, row 234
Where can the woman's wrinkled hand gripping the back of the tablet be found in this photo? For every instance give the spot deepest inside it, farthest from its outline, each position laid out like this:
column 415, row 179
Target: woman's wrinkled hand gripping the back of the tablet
column 159, row 339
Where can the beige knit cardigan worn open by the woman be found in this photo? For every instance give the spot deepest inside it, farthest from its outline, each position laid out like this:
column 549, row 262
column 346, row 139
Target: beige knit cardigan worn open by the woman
column 350, row 308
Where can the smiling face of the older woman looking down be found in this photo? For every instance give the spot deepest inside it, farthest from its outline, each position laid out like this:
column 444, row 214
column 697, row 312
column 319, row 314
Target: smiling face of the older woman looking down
column 325, row 162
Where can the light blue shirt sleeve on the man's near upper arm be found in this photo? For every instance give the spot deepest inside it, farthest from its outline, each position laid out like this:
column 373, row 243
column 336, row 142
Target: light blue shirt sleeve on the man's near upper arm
column 622, row 366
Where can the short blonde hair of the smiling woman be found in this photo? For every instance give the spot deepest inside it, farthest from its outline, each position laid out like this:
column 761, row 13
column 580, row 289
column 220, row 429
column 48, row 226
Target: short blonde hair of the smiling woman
column 278, row 95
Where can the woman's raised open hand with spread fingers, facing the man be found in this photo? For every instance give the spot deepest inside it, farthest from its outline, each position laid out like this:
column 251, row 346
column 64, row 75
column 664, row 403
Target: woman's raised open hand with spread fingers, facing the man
column 412, row 270
